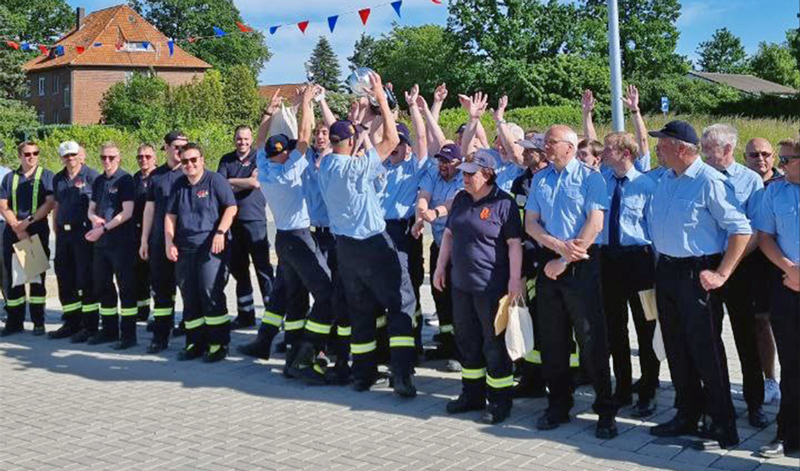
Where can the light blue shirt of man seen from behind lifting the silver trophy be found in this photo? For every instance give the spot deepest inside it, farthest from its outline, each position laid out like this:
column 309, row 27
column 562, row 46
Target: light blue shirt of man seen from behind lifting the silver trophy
column 347, row 185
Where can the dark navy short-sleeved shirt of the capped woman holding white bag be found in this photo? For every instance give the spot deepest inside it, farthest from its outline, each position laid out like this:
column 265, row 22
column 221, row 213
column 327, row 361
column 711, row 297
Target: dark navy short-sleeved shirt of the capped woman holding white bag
column 481, row 230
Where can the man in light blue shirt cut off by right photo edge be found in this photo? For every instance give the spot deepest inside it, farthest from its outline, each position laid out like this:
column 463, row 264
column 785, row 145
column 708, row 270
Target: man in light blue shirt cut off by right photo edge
column 778, row 221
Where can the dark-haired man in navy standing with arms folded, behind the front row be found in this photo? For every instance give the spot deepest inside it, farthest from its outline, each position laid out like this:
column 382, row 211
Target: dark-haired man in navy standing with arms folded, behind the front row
column 249, row 230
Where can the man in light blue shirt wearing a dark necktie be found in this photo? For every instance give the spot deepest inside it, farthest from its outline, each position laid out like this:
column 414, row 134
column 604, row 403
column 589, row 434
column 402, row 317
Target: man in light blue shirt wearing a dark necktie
column 628, row 267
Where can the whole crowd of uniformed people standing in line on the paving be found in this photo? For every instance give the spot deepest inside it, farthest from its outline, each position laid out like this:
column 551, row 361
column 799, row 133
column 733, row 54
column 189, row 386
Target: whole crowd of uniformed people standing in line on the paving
column 574, row 227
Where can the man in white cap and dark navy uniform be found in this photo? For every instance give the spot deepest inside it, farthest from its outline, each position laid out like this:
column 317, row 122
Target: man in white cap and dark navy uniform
column 72, row 188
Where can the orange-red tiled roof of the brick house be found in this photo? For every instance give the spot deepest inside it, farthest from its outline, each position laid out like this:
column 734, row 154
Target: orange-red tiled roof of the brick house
column 109, row 27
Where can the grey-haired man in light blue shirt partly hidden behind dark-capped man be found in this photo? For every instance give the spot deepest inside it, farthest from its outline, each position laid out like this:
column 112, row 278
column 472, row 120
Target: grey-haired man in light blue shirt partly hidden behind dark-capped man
column 718, row 143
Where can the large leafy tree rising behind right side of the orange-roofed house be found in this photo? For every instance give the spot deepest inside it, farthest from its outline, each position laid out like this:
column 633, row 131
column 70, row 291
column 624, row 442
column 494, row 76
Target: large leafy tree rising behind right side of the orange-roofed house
column 183, row 19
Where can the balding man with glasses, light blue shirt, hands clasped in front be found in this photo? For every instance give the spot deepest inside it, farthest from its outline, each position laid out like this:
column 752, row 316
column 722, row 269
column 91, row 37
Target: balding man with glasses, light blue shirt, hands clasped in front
column 564, row 214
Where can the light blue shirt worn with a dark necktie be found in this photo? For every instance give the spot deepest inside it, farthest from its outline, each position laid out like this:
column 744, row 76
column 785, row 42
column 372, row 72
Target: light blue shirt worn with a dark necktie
column 637, row 191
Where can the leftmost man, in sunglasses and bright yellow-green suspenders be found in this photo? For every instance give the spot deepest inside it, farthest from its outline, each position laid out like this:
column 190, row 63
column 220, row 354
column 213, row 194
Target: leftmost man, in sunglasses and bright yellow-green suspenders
column 26, row 198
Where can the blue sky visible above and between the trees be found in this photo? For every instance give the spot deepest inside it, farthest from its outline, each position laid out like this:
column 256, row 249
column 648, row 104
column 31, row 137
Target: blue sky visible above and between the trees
column 752, row 20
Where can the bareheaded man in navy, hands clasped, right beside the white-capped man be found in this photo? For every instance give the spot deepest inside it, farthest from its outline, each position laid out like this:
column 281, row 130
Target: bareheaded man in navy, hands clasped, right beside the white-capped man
column 114, row 255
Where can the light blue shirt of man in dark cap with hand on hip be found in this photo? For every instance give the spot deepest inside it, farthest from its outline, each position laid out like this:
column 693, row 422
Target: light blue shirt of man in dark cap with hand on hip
column 694, row 214
